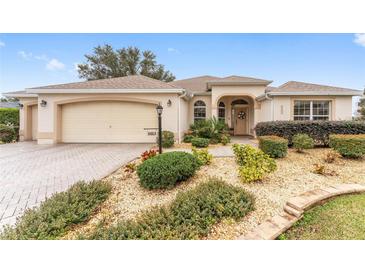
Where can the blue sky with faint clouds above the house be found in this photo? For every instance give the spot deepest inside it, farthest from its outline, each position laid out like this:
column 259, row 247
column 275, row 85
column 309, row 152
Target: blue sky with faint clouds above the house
column 29, row 60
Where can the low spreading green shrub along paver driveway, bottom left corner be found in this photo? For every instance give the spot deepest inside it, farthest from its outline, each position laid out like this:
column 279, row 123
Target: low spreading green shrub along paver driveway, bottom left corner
column 56, row 215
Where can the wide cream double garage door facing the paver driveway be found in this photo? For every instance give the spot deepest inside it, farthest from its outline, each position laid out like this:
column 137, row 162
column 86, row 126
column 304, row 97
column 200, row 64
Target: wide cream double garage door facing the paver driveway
column 109, row 122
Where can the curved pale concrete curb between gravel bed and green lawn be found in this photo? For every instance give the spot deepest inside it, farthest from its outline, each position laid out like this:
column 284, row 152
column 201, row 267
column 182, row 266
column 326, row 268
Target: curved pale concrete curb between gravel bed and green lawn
column 294, row 209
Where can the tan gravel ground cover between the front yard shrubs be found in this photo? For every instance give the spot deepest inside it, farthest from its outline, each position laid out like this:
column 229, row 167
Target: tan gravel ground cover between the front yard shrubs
column 295, row 174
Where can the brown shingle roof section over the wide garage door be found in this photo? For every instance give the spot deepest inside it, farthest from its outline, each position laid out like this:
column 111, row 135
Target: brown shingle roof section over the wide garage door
column 126, row 82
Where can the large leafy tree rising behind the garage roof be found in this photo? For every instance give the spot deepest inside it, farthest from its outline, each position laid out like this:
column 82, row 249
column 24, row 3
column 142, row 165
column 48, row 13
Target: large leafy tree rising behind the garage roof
column 105, row 62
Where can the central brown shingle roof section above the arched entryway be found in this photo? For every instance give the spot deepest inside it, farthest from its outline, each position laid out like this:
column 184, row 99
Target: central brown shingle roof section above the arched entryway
column 200, row 83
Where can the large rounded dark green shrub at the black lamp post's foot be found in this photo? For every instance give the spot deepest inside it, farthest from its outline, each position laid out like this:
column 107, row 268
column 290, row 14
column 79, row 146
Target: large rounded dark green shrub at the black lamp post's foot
column 167, row 169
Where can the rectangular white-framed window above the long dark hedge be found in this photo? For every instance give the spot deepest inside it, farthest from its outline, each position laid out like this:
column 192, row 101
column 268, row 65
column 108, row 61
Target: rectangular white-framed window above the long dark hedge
column 312, row 110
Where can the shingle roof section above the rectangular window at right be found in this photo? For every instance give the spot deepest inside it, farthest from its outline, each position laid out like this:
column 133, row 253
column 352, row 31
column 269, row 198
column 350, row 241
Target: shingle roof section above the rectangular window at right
column 301, row 86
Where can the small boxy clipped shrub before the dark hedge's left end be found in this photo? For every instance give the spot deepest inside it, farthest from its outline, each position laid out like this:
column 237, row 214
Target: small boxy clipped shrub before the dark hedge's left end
column 274, row 146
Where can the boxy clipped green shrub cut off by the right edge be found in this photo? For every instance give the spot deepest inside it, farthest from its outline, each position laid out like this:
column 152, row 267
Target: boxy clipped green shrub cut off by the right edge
column 351, row 146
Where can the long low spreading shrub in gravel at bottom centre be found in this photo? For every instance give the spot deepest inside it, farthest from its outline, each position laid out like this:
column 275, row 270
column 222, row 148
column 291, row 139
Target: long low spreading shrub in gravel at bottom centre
column 190, row 216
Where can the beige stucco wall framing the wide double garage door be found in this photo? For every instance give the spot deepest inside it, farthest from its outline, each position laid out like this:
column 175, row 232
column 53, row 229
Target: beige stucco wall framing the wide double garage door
column 50, row 116
